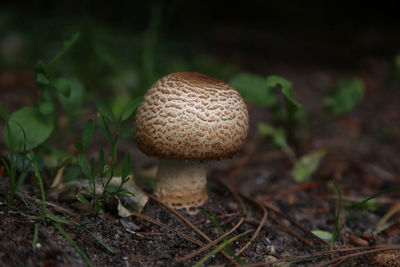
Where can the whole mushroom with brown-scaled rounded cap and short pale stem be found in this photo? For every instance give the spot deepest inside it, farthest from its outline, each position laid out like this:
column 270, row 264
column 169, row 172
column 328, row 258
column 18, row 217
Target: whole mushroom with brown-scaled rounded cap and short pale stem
column 186, row 119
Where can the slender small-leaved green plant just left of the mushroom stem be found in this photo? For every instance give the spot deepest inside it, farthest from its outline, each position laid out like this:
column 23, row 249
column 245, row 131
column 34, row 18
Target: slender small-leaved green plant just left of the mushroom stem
column 101, row 173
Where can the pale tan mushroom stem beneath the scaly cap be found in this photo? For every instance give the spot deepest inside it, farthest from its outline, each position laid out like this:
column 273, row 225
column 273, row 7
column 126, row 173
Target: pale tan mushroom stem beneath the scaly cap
column 181, row 185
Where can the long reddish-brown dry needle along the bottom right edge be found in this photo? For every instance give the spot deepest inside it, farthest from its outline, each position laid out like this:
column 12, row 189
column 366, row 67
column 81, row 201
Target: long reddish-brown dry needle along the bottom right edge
column 325, row 253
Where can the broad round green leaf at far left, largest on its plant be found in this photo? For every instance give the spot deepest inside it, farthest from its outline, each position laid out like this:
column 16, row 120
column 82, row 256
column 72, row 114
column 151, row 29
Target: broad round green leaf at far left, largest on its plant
column 37, row 128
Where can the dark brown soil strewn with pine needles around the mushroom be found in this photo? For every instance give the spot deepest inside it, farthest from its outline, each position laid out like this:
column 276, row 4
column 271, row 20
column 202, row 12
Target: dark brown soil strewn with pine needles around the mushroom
column 255, row 189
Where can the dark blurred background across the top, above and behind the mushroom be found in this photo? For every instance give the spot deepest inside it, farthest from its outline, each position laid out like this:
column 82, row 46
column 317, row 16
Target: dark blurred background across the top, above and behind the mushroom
column 129, row 44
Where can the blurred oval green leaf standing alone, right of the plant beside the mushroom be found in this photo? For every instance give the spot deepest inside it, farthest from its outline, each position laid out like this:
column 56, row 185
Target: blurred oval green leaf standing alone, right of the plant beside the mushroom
column 345, row 97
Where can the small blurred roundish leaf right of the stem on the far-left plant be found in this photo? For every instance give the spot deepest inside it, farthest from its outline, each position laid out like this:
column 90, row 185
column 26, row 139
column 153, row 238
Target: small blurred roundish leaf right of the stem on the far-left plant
column 72, row 102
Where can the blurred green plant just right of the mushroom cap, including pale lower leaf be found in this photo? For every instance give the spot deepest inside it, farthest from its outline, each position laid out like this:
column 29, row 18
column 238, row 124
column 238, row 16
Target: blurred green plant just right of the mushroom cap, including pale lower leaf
column 289, row 115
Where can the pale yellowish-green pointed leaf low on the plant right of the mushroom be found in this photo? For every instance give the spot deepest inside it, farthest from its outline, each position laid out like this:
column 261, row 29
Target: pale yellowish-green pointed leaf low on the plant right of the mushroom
column 307, row 165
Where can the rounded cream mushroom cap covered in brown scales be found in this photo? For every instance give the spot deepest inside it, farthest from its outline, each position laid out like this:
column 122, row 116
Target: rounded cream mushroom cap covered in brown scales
column 191, row 116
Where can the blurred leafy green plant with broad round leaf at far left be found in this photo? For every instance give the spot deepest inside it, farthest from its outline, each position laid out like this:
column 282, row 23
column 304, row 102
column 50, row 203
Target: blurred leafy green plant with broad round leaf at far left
column 39, row 120
